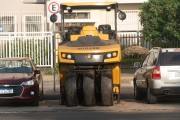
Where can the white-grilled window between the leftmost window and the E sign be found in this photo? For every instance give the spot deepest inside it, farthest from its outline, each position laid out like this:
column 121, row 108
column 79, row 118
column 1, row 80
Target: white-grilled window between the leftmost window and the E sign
column 33, row 23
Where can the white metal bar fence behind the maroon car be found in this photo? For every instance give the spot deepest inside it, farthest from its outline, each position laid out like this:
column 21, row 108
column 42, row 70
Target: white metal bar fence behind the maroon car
column 36, row 45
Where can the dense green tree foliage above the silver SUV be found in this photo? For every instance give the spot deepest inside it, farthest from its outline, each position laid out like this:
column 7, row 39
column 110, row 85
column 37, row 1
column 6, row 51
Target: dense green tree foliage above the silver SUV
column 161, row 21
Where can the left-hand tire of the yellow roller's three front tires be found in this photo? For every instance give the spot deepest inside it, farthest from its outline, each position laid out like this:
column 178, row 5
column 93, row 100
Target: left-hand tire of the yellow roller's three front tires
column 71, row 90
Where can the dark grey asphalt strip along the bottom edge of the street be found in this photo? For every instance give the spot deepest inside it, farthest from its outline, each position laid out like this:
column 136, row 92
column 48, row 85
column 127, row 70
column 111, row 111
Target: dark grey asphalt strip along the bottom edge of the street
column 88, row 115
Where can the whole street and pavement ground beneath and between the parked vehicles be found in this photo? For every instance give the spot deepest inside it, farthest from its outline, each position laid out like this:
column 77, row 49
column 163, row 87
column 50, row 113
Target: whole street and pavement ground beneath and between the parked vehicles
column 127, row 109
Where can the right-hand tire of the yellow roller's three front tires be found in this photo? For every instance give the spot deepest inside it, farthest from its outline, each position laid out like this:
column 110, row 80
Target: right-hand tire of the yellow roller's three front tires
column 106, row 89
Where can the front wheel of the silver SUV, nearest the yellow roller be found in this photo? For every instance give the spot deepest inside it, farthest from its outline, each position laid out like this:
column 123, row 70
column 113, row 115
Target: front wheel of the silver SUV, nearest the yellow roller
column 138, row 95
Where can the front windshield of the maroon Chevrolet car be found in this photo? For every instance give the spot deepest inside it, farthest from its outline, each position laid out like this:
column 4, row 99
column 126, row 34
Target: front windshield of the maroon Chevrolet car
column 15, row 66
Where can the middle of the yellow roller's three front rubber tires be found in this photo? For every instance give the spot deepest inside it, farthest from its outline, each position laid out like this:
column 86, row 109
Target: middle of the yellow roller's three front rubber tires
column 89, row 89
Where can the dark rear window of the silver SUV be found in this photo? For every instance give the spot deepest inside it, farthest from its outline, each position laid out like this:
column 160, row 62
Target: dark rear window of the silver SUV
column 170, row 58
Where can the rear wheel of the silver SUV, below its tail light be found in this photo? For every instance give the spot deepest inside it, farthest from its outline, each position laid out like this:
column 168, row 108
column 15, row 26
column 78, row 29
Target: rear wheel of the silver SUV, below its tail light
column 151, row 99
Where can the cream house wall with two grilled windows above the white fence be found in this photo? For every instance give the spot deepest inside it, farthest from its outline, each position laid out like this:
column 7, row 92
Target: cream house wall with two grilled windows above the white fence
column 22, row 16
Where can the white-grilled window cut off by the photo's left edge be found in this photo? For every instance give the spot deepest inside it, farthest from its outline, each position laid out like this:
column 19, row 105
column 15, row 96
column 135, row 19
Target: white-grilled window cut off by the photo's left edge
column 7, row 23
